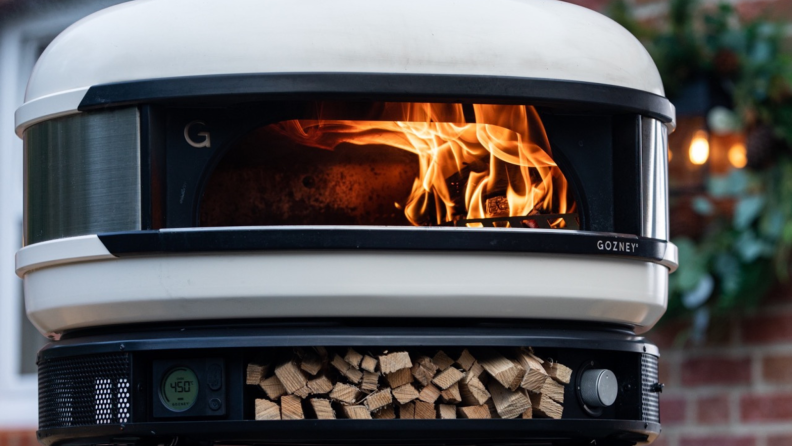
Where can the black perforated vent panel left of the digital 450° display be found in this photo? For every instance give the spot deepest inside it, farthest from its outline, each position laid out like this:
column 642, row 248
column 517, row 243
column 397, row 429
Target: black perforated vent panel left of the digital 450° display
column 84, row 390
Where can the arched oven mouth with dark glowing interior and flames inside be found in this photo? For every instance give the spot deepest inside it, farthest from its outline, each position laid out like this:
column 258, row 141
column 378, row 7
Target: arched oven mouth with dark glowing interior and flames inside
column 394, row 164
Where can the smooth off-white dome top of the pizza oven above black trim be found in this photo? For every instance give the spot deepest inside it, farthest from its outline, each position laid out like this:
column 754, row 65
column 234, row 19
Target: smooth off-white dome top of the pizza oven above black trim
column 541, row 39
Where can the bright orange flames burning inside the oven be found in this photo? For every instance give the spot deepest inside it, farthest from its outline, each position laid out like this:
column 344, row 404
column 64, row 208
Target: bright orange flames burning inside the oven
column 499, row 166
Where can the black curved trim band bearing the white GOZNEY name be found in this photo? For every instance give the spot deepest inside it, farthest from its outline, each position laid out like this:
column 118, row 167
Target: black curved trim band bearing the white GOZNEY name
column 251, row 239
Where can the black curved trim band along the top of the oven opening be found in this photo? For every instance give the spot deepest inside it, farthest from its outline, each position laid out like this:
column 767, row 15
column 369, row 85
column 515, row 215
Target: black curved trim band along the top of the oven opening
column 383, row 86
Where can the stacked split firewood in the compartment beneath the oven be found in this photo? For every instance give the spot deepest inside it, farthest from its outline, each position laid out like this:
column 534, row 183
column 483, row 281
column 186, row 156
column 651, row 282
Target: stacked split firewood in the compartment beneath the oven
column 321, row 384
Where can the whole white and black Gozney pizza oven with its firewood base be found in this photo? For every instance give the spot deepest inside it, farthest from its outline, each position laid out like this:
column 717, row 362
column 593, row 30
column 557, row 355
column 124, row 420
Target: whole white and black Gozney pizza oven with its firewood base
column 244, row 217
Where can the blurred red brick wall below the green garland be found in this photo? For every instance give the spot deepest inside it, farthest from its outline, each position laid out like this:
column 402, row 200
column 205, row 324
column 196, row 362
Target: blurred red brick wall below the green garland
column 736, row 388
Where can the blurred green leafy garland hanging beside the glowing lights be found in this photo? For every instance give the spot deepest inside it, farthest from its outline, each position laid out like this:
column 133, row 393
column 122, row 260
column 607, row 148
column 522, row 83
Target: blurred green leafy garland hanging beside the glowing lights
column 743, row 253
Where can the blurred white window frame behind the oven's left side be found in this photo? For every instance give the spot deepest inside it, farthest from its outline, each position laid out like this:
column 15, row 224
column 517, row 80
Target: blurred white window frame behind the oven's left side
column 21, row 34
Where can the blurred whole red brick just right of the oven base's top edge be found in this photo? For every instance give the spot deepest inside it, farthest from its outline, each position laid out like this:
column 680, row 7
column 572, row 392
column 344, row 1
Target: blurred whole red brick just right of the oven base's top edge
column 716, row 370
